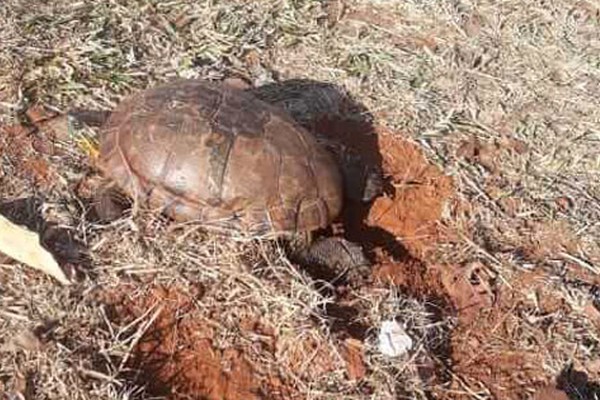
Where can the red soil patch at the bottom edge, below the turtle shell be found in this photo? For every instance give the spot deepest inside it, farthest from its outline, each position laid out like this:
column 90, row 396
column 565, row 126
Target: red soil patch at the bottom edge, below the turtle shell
column 176, row 356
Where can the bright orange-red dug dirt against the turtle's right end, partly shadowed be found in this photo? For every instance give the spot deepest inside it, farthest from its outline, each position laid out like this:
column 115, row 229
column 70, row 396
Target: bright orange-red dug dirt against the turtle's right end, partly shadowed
column 416, row 191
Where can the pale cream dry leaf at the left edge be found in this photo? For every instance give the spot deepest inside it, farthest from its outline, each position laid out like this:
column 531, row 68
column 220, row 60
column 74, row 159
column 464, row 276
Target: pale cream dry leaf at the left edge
column 24, row 246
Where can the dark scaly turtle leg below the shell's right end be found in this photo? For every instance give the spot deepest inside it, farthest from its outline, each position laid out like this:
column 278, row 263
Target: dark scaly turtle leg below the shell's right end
column 334, row 260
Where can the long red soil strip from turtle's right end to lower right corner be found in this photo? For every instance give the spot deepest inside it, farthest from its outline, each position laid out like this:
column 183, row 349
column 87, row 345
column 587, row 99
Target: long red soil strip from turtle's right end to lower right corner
column 401, row 228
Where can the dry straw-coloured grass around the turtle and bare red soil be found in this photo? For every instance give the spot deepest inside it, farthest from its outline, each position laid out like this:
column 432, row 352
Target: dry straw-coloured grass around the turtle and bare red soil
column 502, row 95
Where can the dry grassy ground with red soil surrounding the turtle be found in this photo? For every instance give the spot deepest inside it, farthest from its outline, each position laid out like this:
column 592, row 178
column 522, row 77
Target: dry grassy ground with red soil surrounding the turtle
column 485, row 117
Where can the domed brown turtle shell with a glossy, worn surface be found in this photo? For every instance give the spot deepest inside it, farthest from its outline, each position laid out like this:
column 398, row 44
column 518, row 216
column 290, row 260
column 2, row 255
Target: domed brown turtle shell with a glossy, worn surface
column 208, row 152
